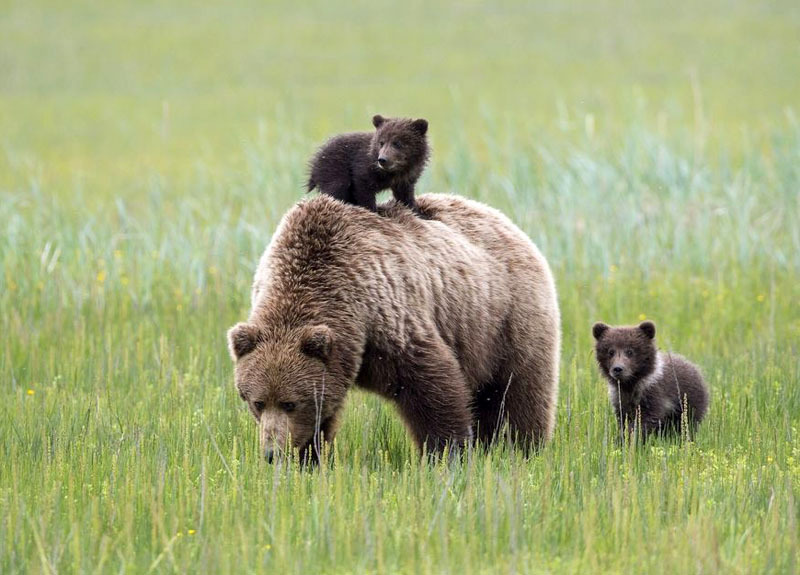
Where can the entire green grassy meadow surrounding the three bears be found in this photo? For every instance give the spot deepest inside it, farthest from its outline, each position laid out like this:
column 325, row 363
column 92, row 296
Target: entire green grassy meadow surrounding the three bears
column 147, row 152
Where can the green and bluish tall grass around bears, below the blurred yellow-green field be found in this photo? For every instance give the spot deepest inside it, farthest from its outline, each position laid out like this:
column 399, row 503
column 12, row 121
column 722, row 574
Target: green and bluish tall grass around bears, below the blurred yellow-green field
column 126, row 447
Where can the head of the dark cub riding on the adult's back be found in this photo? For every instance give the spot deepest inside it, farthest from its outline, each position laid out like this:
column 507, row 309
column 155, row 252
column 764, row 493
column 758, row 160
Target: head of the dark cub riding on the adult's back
column 399, row 143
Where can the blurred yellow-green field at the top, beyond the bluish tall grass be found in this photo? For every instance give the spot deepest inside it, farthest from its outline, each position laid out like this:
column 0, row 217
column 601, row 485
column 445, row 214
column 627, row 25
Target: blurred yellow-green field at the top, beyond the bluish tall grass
column 112, row 91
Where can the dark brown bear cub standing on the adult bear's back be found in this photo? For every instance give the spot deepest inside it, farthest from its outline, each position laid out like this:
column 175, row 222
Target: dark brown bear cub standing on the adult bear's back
column 355, row 167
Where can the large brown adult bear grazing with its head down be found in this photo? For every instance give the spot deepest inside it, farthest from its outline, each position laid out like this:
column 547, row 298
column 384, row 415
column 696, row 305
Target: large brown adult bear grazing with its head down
column 453, row 318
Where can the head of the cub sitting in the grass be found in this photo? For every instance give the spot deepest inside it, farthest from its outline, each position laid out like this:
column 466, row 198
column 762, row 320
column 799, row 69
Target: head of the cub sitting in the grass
column 625, row 354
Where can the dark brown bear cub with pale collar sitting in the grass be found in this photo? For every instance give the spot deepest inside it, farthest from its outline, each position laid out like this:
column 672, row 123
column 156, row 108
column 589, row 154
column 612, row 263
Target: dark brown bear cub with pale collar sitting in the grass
column 648, row 388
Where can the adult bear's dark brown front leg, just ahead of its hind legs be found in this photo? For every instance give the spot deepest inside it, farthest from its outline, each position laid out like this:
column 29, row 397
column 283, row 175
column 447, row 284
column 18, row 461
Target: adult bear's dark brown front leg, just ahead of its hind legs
column 432, row 396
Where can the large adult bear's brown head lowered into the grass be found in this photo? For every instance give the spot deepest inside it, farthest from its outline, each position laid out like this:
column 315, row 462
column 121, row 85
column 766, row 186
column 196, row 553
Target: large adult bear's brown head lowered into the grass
column 285, row 377
